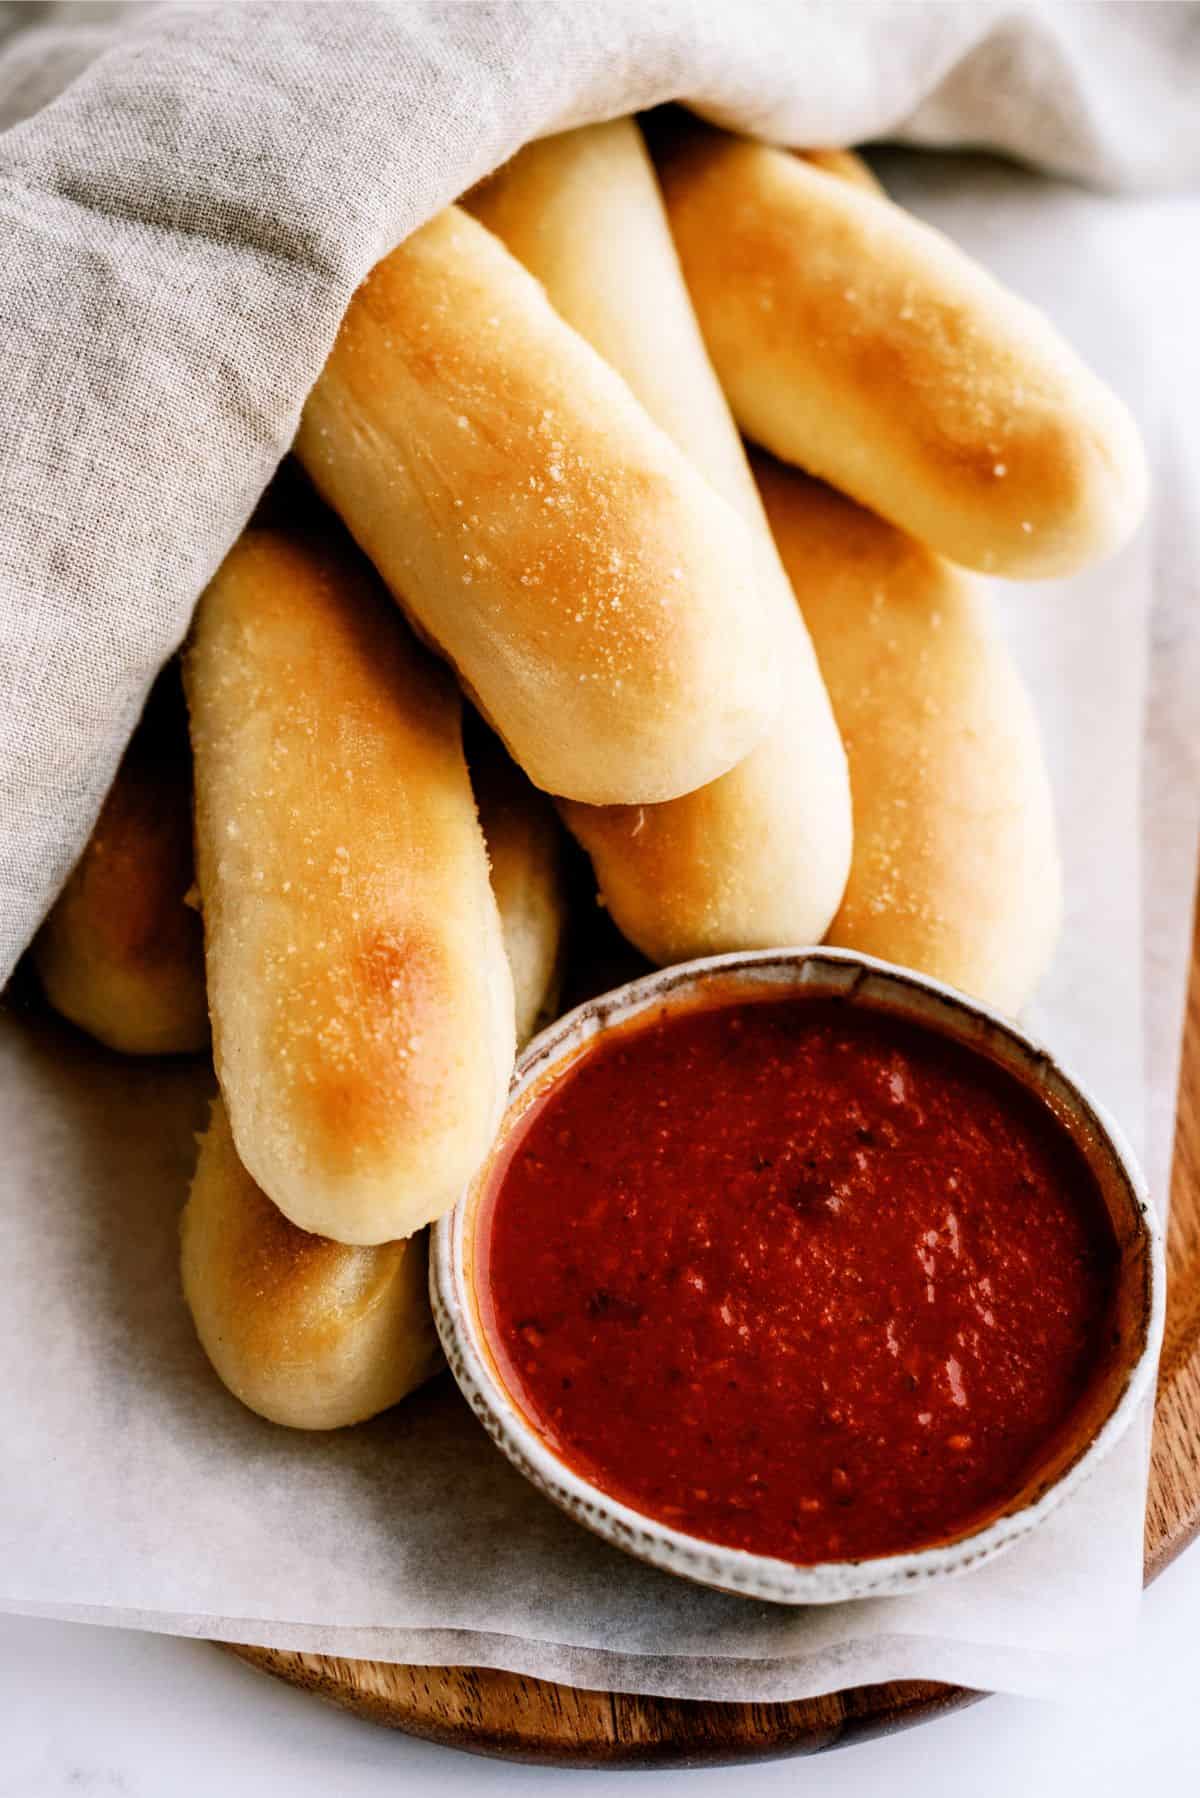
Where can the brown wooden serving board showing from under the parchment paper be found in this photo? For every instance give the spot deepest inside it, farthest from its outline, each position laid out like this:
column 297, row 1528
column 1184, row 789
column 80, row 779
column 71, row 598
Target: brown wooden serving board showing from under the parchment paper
column 537, row 1722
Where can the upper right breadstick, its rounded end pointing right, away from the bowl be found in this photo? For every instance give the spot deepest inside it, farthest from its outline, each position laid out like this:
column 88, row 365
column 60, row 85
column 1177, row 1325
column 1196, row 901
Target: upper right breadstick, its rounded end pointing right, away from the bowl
column 863, row 346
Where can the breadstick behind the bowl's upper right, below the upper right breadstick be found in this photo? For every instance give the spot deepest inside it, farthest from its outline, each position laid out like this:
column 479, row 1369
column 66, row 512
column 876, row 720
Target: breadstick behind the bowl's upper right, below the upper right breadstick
column 956, row 869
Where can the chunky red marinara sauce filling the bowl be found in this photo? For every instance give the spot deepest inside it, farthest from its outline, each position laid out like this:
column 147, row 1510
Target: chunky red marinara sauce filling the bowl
column 796, row 1277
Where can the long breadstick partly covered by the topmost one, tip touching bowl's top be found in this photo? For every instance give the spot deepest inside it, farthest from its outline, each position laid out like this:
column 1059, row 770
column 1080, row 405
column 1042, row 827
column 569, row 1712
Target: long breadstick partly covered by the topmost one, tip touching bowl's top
column 758, row 857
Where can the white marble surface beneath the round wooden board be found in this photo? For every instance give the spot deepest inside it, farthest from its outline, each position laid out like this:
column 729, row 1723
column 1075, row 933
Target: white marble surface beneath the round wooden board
column 112, row 1713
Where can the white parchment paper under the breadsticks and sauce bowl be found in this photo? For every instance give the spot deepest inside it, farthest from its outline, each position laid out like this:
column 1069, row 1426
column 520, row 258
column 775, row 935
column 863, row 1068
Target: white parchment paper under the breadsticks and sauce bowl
column 136, row 1491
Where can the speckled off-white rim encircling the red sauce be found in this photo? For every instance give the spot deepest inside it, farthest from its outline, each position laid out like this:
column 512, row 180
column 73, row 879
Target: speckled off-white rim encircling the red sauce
column 735, row 1571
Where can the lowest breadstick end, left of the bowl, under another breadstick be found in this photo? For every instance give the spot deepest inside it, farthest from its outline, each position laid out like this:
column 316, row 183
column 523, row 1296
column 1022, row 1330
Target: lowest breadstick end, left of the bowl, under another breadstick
column 305, row 1331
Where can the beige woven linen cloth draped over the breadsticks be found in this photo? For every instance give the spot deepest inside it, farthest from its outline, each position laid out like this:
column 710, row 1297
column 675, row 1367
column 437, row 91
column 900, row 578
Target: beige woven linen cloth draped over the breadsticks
column 192, row 193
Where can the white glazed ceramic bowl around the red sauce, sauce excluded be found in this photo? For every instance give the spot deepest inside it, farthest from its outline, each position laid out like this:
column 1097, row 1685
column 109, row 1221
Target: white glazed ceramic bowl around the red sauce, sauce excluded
column 1100, row 1420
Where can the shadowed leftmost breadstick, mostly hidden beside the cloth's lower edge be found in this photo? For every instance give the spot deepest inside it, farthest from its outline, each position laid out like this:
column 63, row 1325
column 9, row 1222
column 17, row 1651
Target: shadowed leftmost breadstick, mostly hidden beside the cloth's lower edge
column 121, row 954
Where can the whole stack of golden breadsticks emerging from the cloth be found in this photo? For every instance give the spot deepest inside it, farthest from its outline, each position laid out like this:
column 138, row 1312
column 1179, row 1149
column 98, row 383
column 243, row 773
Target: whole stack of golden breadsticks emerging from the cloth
column 771, row 711
